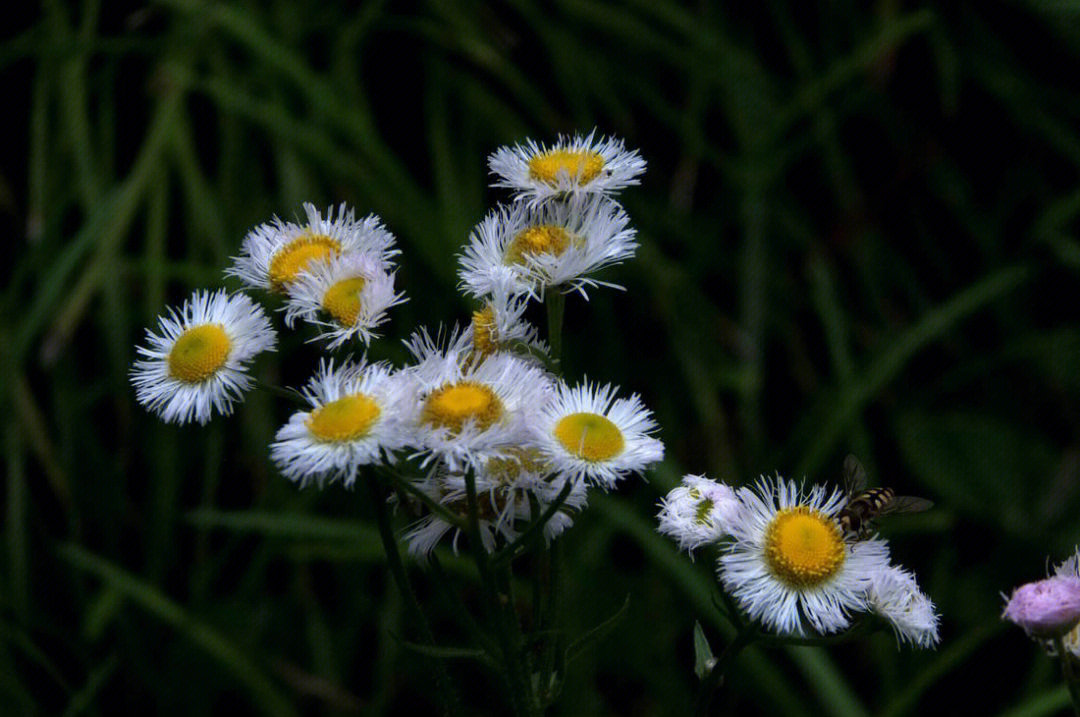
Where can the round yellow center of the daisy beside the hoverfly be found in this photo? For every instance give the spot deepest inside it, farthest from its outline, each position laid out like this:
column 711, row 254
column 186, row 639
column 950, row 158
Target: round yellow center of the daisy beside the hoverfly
column 804, row 548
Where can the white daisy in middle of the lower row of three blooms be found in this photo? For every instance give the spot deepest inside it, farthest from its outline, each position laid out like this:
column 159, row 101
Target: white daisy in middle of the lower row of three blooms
column 466, row 412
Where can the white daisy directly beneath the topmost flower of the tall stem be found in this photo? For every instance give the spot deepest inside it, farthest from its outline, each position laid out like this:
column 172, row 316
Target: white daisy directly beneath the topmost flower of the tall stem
column 557, row 245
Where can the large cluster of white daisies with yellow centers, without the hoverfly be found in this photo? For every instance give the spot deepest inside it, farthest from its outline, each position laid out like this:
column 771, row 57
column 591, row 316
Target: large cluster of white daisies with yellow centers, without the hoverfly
column 480, row 416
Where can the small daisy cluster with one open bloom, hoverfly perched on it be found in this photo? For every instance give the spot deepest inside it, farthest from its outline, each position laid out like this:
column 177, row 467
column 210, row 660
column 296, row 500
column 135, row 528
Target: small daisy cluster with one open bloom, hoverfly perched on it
column 790, row 564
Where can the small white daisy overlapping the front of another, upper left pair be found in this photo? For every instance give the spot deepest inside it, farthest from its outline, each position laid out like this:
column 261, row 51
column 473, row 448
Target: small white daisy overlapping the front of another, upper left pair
column 353, row 291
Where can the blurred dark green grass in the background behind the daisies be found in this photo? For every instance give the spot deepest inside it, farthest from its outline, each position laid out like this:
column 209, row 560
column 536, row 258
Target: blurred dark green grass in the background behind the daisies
column 859, row 233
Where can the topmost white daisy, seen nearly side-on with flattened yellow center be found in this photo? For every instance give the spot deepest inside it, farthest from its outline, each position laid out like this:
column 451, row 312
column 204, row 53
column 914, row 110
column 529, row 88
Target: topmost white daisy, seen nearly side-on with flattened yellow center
column 573, row 166
